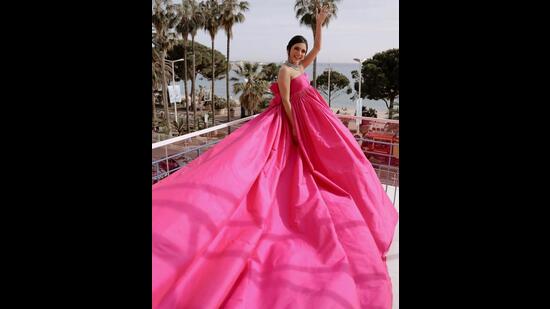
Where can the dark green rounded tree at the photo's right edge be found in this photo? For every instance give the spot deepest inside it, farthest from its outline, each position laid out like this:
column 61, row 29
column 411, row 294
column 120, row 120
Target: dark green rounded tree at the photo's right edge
column 380, row 78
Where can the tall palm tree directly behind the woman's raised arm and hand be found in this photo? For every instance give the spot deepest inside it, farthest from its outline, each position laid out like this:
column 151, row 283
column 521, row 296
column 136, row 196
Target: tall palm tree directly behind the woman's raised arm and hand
column 305, row 12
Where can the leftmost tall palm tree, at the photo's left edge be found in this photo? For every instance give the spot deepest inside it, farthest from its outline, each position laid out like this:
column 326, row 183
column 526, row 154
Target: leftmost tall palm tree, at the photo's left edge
column 164, row 18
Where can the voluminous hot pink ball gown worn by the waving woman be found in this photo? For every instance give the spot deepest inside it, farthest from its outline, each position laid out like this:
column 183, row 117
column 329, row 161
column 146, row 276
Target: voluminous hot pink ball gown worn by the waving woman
column 259, row 222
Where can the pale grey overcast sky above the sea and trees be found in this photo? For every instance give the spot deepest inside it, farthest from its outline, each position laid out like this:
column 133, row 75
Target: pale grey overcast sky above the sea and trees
column 362, row 28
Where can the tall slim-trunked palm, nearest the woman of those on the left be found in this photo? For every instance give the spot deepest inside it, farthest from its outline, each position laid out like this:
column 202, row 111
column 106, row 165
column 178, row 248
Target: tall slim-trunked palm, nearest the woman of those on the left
column 232, row 14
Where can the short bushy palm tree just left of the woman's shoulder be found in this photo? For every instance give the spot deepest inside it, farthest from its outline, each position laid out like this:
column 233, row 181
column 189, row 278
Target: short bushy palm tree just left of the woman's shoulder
column 253, row 88
